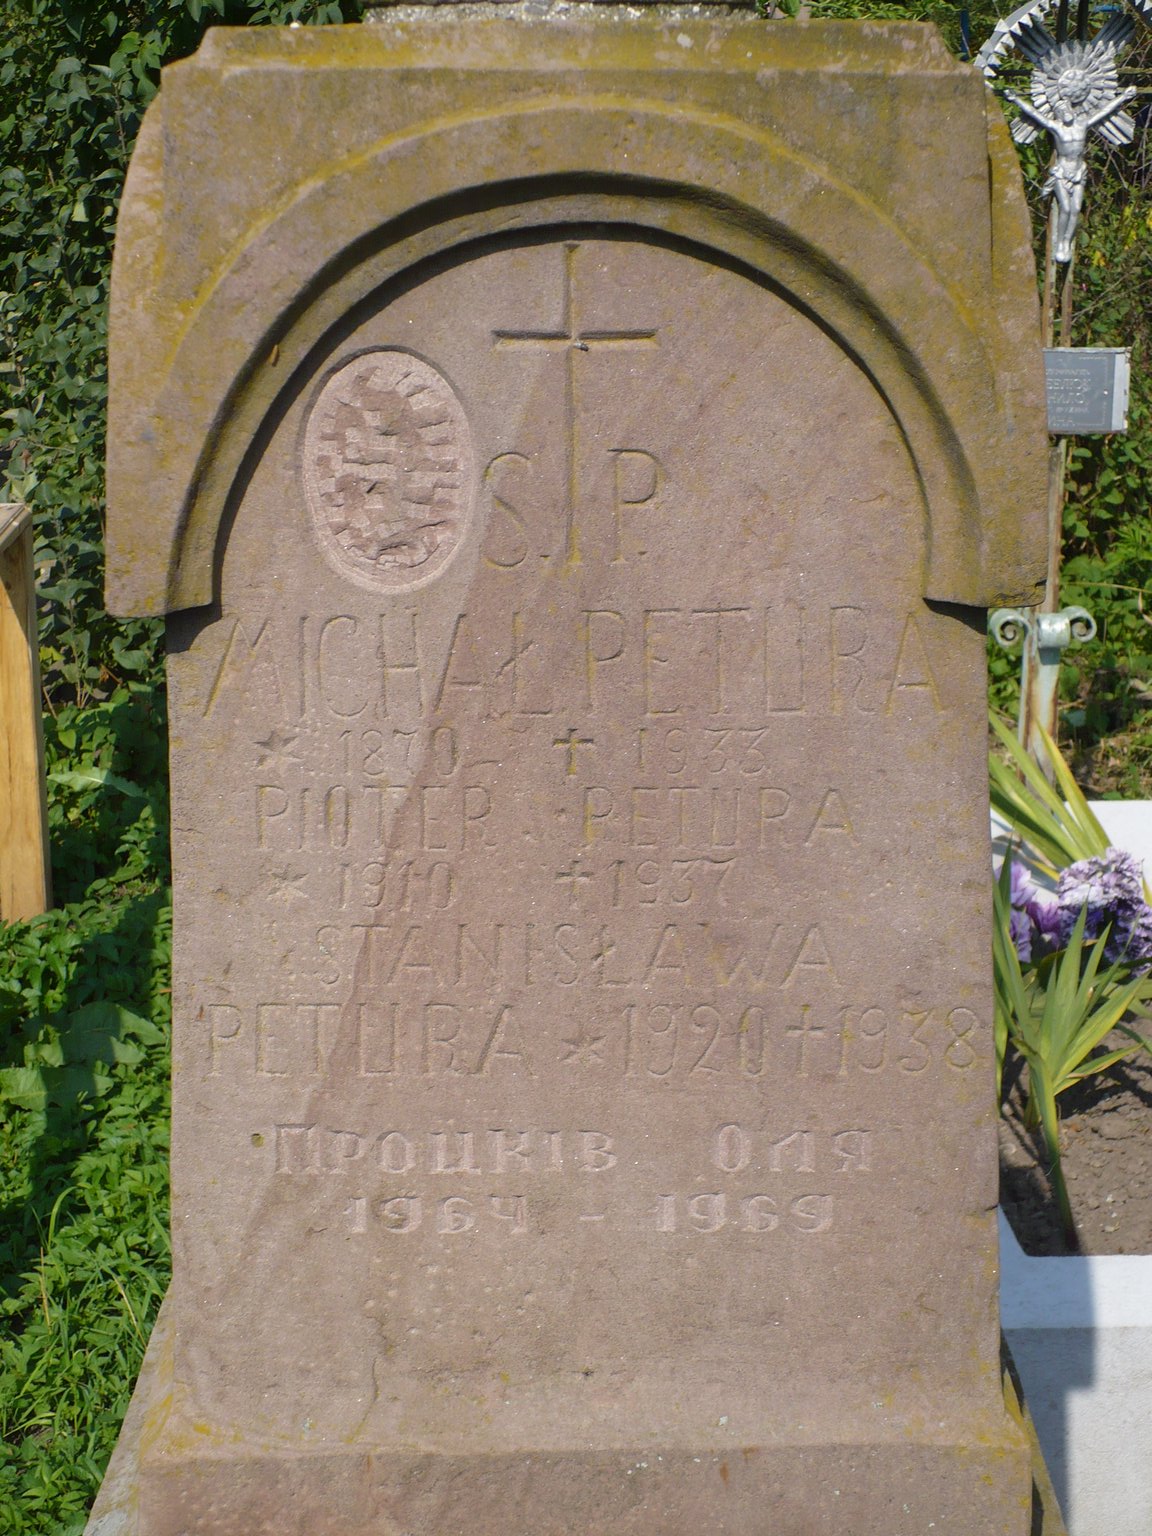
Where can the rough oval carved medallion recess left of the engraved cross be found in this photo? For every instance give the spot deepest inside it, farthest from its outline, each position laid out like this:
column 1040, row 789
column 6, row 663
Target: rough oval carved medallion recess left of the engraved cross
column 388, row 471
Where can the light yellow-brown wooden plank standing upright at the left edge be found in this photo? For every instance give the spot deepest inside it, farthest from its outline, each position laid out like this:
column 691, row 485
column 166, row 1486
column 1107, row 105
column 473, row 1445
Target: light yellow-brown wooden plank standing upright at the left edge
column 25, row 879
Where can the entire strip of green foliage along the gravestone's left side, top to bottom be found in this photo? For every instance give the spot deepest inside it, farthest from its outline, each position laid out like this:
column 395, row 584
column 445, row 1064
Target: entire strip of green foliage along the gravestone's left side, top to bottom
column 85, row 988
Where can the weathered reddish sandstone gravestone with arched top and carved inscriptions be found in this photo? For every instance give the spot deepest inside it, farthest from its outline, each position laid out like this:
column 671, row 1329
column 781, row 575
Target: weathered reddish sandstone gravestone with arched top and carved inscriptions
column 575, row 455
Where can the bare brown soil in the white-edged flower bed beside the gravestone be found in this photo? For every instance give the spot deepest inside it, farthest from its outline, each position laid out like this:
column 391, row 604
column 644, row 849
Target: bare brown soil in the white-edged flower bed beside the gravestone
column 1107, row 1137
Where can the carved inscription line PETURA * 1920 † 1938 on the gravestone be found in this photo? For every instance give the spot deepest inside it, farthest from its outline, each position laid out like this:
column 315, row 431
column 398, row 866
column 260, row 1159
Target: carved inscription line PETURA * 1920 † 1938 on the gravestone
column 641, row 1045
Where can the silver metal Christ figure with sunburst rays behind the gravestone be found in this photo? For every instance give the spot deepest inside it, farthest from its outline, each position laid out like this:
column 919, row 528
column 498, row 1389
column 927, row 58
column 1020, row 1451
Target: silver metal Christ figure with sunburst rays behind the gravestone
column 1076, row 91
